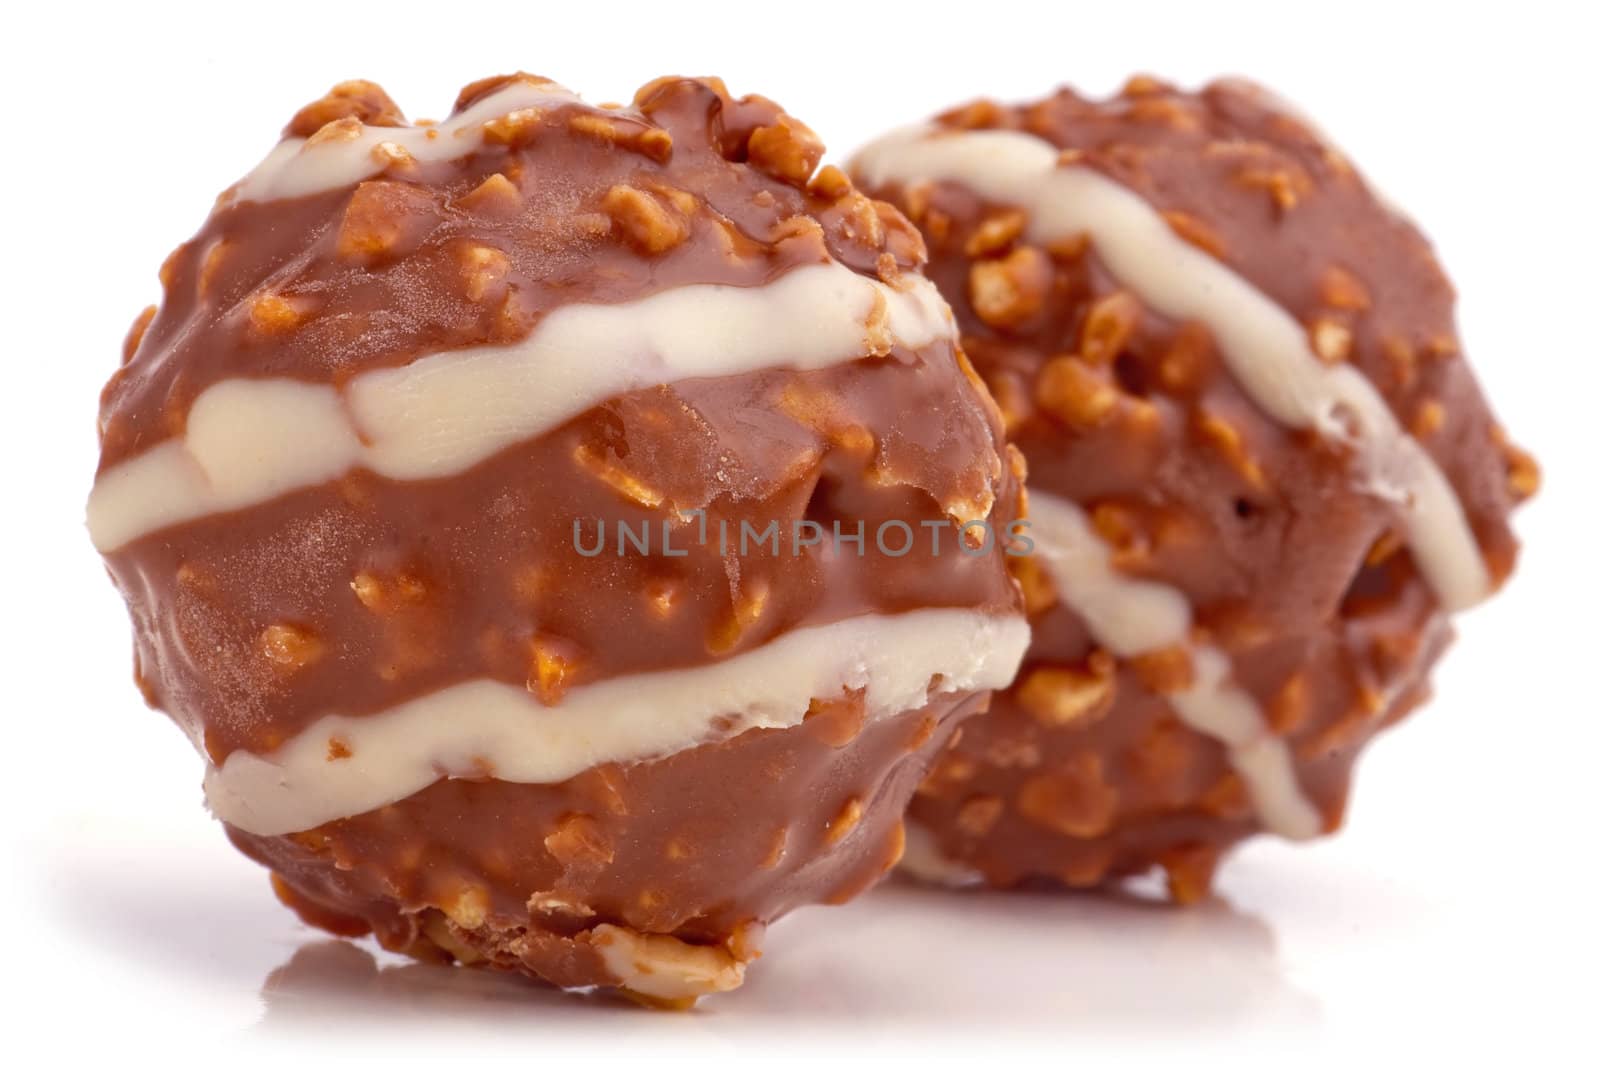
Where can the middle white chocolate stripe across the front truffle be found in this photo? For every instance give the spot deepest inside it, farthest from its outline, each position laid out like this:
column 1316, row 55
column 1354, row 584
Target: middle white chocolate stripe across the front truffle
column 250, row 441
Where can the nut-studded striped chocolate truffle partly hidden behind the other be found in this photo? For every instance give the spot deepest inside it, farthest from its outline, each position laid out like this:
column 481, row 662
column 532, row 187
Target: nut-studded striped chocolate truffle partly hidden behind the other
column 1262, row 473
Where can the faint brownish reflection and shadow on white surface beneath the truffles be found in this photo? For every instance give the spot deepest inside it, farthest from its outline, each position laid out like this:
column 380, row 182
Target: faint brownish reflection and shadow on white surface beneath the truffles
column 206, row 925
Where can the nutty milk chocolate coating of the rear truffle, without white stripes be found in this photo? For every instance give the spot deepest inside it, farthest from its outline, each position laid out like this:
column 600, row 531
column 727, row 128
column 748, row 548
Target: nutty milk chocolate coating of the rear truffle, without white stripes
column 1290, row 565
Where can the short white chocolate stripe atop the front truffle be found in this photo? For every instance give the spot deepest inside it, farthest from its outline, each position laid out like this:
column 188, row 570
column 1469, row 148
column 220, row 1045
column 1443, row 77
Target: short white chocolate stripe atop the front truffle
column 300, row 167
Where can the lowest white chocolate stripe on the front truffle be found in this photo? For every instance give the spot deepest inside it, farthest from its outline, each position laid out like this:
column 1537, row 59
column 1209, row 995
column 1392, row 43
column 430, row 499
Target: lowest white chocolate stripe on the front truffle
column 898, row 661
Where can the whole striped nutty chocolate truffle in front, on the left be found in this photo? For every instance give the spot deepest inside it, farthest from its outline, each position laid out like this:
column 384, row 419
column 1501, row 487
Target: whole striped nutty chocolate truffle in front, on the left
column 534, row 519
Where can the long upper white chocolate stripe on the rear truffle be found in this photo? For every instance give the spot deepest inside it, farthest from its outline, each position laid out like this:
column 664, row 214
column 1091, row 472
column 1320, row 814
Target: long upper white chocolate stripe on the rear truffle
column 1265, row 348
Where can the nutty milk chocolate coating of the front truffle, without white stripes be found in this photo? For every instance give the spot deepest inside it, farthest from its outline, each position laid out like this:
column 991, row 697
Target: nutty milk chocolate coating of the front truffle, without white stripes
column 364, row 591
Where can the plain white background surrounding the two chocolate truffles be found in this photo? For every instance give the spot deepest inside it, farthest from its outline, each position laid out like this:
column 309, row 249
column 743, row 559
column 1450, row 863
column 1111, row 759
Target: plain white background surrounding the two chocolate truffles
column 1455, row 914
